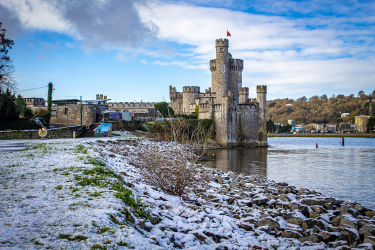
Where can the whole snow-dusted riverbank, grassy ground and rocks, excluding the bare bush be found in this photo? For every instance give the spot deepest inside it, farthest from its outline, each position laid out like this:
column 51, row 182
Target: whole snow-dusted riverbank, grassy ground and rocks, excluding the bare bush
column 60, row 194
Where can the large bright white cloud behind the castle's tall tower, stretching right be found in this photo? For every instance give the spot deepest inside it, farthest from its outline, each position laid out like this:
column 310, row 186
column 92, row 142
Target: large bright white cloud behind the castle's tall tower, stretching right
column 292, row 56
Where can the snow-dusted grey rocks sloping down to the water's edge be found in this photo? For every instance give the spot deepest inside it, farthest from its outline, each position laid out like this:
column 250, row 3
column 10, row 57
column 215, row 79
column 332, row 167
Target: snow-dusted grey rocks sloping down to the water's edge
column 229, row 206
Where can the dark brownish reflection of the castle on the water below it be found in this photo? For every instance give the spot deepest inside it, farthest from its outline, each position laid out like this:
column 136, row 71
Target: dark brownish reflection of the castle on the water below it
column 250, row 161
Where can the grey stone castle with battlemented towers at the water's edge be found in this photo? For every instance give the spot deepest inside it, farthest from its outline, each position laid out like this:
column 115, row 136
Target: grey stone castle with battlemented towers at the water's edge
column 238, row 120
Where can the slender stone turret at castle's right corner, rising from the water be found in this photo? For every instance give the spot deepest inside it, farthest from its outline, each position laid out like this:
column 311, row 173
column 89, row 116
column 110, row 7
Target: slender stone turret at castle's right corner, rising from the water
column 261, row 99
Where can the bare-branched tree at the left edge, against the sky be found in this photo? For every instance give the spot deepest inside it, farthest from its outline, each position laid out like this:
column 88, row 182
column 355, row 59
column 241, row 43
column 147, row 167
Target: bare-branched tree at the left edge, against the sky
column 6, row 66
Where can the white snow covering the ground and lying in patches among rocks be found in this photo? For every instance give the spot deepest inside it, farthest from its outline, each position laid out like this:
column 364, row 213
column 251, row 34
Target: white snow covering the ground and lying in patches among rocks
column 41, row 205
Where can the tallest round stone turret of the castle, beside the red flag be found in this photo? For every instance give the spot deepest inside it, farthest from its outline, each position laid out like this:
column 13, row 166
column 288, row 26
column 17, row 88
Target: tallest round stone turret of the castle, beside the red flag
column 220, row 68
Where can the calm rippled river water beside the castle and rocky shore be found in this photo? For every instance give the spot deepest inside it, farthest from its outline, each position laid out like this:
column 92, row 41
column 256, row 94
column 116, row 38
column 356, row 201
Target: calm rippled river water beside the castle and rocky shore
column 346, row 172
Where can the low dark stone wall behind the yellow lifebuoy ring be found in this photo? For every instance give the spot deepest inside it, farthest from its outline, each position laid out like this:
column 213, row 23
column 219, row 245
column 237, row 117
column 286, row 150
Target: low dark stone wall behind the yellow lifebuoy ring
column 57, row 133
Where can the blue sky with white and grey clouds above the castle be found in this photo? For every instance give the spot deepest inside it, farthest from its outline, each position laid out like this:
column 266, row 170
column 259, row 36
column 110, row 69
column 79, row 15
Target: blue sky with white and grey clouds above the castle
column 133, row 50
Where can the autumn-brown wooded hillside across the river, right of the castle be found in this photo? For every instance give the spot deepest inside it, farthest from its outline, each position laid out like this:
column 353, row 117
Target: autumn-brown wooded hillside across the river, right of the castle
column 321, row 109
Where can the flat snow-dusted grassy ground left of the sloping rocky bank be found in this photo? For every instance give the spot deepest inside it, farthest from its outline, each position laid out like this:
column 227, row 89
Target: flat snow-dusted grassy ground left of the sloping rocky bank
column 41, row 205
